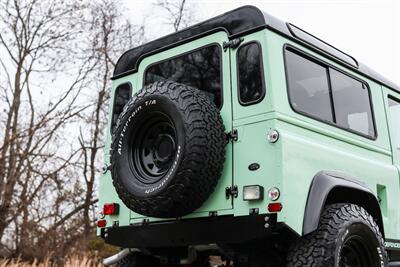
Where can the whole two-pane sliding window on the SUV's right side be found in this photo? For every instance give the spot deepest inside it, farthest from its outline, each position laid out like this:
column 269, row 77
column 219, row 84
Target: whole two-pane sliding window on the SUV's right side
column 320, row 91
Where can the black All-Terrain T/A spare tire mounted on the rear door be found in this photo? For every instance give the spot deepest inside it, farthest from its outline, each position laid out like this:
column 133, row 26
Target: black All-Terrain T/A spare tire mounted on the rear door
column 168, row 150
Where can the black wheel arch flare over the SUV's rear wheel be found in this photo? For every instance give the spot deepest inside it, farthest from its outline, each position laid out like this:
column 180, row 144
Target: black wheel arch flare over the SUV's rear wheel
column 322, row 184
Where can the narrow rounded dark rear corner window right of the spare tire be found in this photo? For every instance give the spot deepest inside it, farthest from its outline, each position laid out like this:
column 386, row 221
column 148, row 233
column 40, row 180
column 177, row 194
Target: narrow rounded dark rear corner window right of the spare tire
column 250, row 74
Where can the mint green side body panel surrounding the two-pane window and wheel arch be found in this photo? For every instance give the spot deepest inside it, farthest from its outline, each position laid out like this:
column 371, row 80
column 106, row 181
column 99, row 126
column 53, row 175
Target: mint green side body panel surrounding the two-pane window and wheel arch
column 309, row 146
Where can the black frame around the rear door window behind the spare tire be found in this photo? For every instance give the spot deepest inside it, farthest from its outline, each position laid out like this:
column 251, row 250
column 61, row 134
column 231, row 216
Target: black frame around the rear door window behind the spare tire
column 187, row 53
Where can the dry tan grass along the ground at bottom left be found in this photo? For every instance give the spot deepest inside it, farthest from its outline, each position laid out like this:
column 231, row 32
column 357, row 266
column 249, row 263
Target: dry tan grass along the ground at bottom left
column 75, row 261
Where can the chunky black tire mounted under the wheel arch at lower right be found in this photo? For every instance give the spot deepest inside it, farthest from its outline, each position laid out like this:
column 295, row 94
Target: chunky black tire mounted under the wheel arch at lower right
column 326, row 246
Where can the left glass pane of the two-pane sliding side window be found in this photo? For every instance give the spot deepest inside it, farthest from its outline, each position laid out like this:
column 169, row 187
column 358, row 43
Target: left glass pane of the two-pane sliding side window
column 308, row 87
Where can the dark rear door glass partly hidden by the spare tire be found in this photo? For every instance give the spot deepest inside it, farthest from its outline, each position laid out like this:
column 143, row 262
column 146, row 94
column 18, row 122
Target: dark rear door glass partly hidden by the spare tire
column 200, row 68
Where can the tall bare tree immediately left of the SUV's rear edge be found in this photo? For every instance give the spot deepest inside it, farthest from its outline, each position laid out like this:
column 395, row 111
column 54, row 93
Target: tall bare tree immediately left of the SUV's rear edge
column 110, row 36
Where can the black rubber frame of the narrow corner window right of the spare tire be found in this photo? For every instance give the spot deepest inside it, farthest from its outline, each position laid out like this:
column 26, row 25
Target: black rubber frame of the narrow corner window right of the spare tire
column 263, row 93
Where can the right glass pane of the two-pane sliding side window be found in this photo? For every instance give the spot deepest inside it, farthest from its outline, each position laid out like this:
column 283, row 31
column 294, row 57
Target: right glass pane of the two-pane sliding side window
column 352, row 103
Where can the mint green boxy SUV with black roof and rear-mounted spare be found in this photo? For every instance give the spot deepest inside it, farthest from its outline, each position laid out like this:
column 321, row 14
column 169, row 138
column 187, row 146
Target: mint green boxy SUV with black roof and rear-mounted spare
column 249, row 139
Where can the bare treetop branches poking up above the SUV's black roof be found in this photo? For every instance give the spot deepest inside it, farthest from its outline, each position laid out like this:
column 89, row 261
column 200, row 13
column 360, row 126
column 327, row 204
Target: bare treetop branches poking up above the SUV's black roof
column 179, row 14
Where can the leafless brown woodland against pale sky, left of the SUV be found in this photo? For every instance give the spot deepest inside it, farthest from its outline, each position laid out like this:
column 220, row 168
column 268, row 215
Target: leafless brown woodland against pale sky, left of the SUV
column 56, row 60
